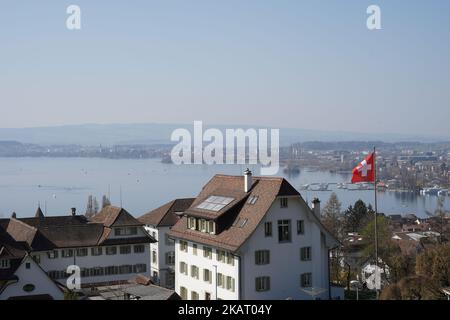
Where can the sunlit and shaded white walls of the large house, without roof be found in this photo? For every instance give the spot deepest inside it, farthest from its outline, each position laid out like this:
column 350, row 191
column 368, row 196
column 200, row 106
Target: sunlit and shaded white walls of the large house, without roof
column 285, row 267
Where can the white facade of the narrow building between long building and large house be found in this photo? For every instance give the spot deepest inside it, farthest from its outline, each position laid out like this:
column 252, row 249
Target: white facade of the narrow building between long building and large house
column 162, row 257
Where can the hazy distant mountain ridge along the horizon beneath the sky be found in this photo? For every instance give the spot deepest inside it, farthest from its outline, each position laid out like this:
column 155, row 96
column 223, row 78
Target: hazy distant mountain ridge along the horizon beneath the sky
column 154, row 133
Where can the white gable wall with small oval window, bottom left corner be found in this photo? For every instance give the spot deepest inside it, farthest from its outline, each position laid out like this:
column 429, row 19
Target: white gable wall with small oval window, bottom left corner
column 35, row 276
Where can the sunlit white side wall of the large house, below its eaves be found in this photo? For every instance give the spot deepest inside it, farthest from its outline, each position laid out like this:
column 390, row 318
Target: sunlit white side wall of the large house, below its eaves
column 199, row 285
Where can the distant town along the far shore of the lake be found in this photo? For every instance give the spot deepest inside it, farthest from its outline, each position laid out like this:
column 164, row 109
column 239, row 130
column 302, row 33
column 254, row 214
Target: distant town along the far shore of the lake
column 403, row 166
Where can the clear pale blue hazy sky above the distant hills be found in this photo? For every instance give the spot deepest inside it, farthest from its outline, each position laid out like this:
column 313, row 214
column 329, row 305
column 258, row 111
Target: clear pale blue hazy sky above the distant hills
column 306, row 64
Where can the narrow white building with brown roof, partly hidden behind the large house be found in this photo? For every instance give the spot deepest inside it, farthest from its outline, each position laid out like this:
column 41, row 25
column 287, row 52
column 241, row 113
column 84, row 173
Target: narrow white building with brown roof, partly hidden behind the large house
column 162, row 253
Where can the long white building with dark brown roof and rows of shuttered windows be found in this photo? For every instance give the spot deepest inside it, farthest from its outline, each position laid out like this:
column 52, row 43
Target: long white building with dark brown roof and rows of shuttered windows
column 112, row 246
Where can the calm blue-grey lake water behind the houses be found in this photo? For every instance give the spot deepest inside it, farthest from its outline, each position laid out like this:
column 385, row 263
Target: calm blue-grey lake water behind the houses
column 61, row 183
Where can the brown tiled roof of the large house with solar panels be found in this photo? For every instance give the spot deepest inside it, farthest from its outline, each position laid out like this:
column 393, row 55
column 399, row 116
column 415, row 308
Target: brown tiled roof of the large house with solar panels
column 234, row 234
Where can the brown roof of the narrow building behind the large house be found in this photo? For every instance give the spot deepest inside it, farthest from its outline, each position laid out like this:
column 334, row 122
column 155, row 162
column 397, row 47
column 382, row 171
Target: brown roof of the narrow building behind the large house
column 165, row 216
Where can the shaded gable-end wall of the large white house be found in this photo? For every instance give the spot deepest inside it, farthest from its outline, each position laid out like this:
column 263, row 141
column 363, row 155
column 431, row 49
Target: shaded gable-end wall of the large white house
column 285, row 267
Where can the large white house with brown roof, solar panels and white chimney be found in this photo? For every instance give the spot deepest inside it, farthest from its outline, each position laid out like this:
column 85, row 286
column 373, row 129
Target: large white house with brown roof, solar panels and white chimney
column 251, row 238
